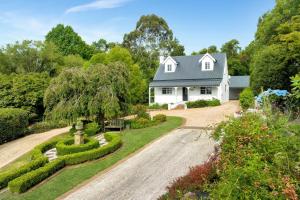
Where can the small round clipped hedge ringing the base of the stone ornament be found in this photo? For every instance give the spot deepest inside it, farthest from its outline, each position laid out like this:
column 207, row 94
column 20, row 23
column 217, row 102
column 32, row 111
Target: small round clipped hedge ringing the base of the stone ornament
column 67, row 146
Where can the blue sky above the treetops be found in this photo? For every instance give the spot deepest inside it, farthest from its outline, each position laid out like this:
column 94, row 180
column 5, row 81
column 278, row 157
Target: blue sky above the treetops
column 196, row 23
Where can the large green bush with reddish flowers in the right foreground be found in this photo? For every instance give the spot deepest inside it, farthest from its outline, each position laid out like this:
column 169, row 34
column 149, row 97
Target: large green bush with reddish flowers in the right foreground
column 257, row 160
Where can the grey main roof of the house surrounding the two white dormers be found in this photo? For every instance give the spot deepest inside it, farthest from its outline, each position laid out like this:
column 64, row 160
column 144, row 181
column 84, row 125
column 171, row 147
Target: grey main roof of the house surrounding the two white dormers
column 189, row 68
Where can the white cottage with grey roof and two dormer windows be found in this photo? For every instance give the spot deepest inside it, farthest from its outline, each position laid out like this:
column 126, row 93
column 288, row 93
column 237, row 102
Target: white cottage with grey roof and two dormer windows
column 189, row 78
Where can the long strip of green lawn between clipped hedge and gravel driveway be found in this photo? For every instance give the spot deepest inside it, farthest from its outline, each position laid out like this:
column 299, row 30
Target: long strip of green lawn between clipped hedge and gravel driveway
column 68, row 178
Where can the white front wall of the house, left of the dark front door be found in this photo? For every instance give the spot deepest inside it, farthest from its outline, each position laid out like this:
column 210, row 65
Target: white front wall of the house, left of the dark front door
column 167, row 98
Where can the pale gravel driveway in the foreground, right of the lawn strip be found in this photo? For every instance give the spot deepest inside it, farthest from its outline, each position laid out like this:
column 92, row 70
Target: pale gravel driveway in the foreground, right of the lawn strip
column 146, row 175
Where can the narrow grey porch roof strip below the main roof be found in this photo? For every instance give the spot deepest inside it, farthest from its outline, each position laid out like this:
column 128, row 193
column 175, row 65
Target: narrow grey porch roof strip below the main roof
column 186, row 83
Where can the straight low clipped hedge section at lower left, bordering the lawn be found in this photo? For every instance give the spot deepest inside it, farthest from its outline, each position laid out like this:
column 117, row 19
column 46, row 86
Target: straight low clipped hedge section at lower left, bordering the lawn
column 25, row 182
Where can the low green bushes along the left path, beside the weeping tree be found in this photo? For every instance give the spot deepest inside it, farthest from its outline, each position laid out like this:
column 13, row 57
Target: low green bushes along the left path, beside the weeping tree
column 44, row 126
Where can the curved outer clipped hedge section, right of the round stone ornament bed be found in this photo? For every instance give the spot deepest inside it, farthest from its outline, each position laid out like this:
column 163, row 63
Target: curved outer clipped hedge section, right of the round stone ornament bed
column 114, row 140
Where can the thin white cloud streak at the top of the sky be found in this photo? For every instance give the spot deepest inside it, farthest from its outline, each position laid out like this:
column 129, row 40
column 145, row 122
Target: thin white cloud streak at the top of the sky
column 95, row 5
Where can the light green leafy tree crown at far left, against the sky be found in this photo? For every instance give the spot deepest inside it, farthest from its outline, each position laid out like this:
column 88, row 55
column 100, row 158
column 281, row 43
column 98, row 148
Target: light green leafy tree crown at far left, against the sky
column 30, row 56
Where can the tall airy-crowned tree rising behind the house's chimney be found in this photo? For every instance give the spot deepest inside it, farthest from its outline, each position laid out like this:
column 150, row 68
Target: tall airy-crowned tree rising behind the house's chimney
column 150, row 38
